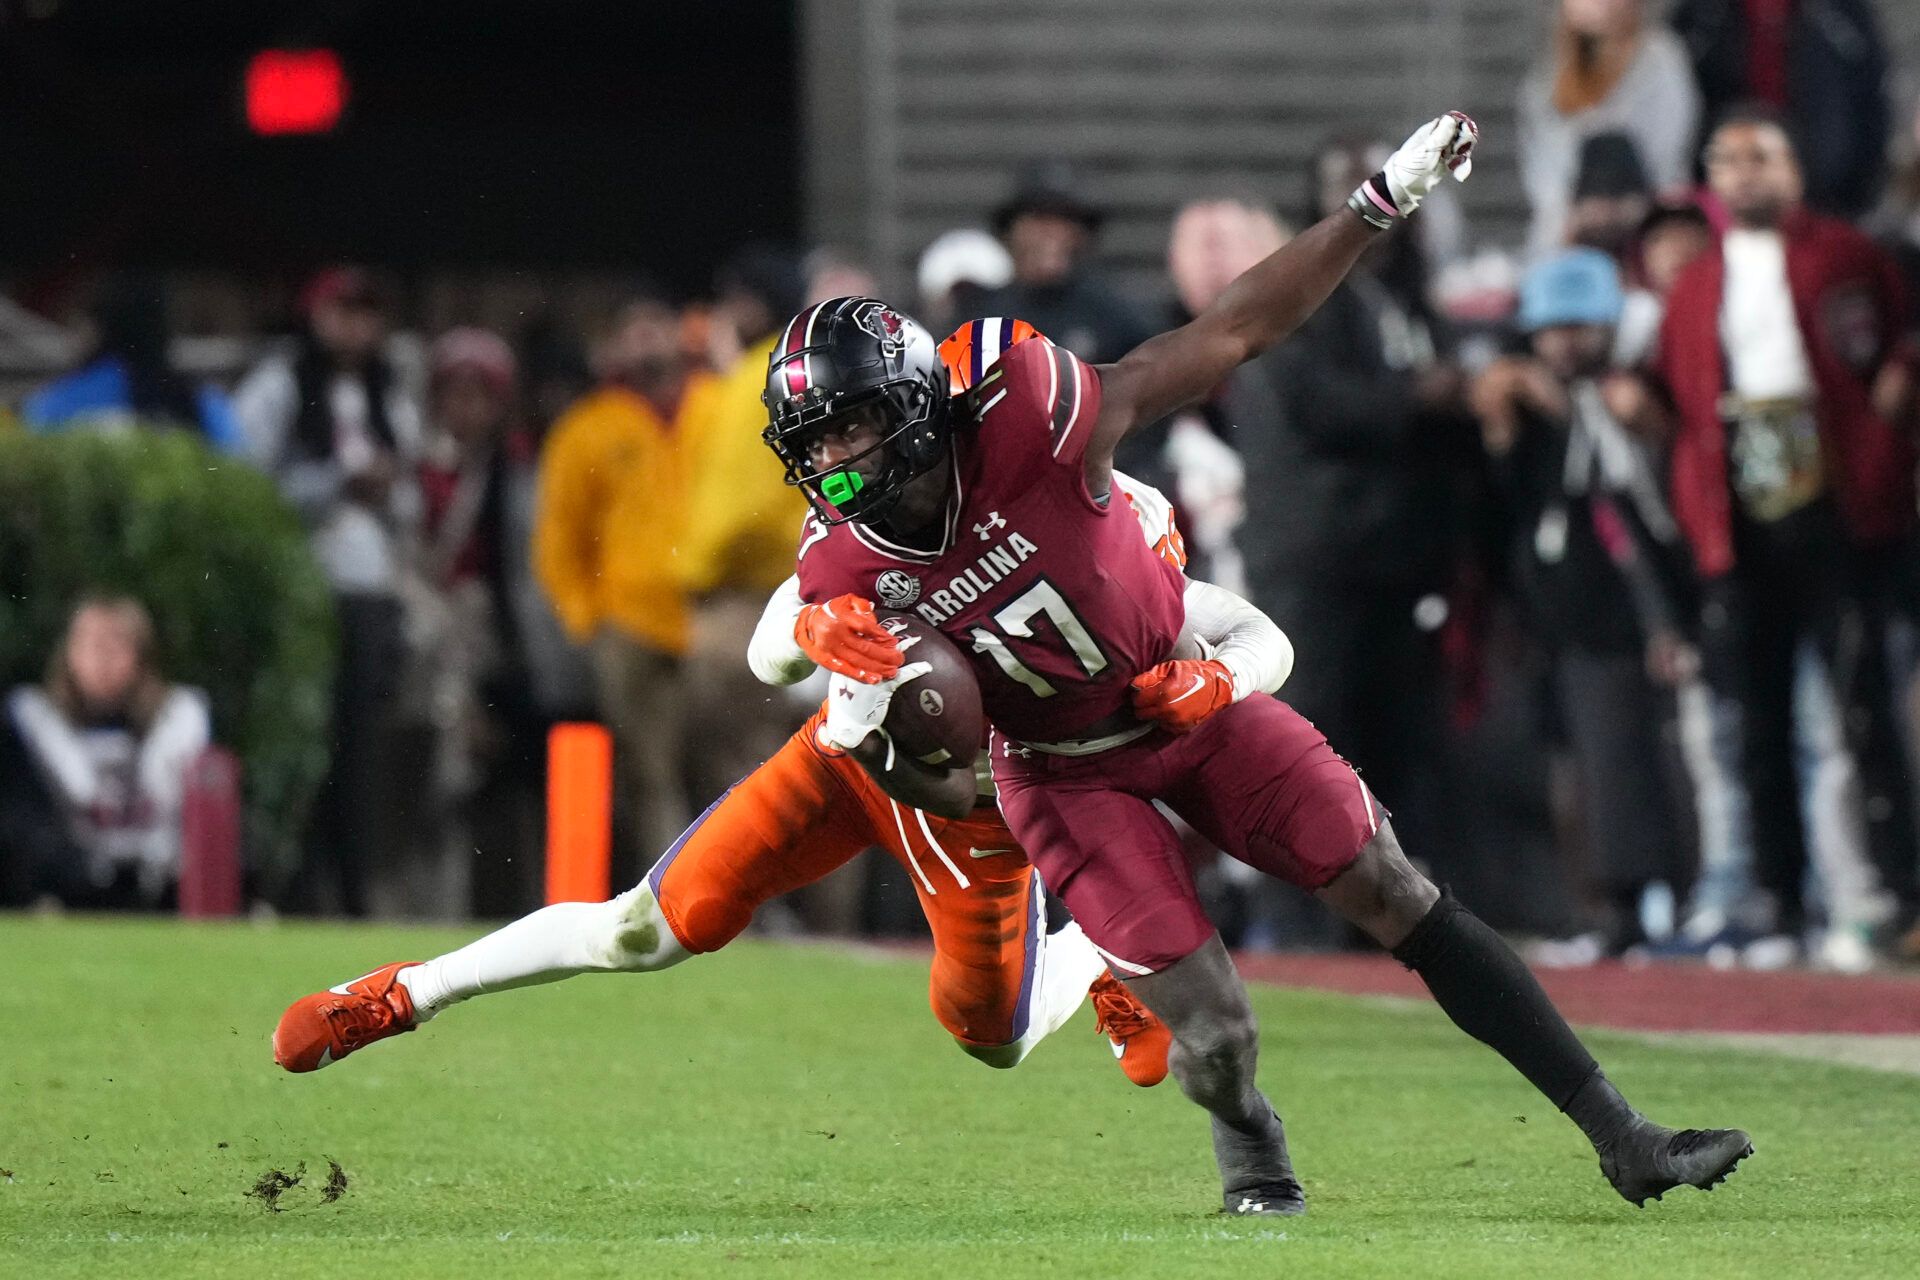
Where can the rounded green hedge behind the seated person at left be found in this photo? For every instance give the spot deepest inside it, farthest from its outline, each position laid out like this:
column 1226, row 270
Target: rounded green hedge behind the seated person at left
column 208, row 546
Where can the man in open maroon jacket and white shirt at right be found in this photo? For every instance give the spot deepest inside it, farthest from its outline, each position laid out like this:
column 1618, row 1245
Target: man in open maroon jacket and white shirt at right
column 1790, row 483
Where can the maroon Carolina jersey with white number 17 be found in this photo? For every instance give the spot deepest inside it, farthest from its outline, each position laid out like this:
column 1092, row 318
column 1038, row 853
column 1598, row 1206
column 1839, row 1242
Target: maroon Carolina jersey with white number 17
column 1053, row 596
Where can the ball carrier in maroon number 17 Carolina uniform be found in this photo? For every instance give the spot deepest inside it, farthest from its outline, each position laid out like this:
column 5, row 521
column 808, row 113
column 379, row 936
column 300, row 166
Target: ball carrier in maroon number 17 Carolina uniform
column 992, row 519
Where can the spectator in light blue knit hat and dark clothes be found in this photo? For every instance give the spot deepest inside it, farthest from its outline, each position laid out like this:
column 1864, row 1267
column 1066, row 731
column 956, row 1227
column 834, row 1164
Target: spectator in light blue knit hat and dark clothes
column 1593, row 559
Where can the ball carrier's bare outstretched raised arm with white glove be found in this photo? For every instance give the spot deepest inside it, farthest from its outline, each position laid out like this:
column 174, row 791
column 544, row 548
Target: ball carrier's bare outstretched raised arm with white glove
column 1274, row 296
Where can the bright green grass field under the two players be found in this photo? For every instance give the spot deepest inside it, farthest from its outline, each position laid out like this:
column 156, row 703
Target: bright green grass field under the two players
column 794, row 1110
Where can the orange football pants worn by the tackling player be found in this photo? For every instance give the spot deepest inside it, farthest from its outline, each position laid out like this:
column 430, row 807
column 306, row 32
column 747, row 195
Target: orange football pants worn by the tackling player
column 805, row 815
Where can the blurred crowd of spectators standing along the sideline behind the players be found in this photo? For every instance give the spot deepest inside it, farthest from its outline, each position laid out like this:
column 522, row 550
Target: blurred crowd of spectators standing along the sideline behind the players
column 1598, row 548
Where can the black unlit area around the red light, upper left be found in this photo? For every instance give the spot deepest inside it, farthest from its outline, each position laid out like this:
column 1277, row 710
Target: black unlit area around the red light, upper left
column 479, row 133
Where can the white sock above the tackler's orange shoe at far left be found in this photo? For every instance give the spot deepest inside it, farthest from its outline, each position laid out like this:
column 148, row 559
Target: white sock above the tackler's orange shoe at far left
column 556, row 943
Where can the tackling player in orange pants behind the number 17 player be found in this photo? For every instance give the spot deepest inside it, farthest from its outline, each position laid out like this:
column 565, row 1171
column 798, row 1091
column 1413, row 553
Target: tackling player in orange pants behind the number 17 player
column 999, row 982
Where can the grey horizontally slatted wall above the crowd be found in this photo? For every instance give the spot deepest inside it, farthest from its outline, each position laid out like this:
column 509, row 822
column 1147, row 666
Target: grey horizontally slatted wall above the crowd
column 919, row 114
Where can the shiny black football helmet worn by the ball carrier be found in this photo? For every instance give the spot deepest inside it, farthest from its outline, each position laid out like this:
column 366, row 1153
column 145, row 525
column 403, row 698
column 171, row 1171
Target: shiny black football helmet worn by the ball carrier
column 844, row 356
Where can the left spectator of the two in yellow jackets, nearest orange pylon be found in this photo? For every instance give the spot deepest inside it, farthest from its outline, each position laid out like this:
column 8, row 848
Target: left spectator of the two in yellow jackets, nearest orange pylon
column 612, row 511
